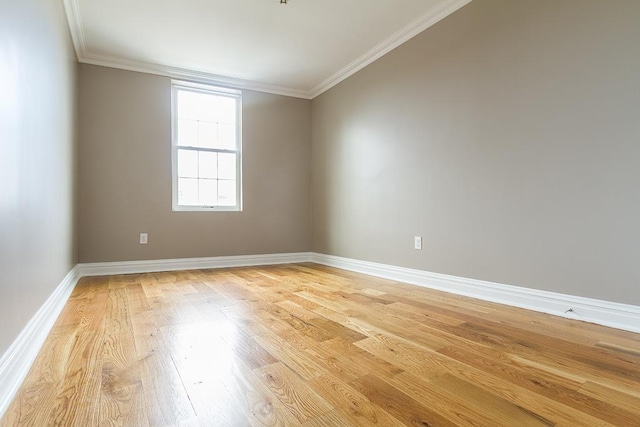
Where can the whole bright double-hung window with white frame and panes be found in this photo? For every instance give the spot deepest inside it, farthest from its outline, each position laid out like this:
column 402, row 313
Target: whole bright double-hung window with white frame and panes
column 206, row 148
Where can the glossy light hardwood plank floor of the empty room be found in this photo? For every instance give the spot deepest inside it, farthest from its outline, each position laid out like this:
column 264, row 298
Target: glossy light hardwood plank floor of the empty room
column 315, row 346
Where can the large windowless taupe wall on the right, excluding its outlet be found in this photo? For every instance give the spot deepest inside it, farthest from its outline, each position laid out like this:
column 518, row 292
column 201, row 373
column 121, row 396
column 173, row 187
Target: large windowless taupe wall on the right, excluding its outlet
column 507, row 135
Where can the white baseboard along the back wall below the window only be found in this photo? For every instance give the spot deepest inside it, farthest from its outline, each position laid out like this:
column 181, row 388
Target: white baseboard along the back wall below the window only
column 149, row 266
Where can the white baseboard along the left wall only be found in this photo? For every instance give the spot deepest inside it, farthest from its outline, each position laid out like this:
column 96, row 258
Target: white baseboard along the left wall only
column 17, row 360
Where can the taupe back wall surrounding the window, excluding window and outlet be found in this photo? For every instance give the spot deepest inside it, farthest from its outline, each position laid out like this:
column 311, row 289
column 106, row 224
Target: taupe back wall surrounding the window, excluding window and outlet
column 125, row 175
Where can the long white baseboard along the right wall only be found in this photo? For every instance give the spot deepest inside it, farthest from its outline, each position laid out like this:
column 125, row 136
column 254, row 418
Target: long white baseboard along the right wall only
column 615, row 315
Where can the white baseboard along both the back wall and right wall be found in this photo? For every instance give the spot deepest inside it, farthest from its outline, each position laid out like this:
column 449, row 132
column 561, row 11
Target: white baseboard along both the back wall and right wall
column 616, row 315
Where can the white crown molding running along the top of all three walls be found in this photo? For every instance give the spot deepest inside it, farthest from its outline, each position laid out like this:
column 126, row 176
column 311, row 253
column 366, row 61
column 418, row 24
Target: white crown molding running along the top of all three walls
column 431, row 17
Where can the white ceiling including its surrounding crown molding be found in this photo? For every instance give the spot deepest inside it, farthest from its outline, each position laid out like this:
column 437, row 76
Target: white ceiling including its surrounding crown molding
column 299, row 49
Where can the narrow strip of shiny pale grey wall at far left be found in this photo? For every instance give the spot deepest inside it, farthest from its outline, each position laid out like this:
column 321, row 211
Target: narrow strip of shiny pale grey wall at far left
column 37, row 113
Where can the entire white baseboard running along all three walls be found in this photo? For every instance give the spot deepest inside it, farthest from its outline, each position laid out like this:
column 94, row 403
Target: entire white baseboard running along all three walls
column 17, row 360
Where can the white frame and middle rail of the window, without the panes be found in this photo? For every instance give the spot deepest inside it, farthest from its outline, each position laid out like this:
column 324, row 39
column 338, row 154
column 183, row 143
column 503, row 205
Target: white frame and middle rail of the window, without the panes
column 177, row 85
